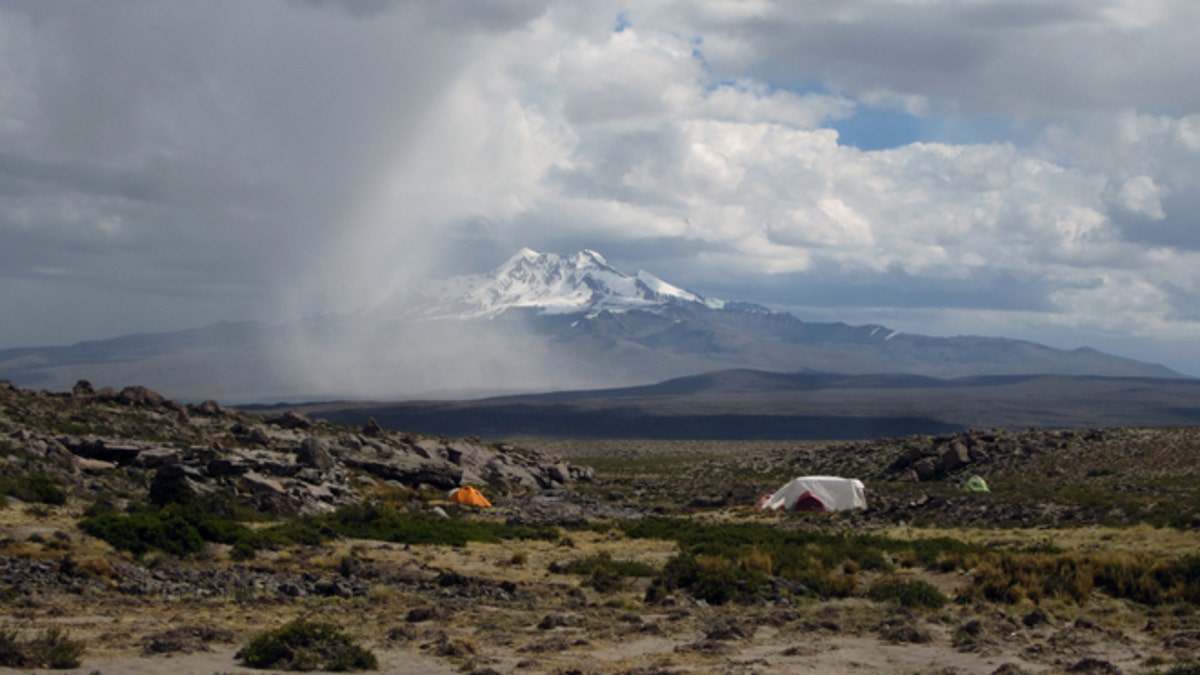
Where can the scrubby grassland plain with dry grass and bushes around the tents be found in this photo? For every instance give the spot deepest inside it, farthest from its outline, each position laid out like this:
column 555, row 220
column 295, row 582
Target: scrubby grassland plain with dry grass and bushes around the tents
column 1085, row 557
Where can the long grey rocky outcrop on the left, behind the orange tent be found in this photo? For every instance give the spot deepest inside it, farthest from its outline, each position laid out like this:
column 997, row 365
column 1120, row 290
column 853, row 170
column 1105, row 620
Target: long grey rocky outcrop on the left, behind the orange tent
column 283, row 464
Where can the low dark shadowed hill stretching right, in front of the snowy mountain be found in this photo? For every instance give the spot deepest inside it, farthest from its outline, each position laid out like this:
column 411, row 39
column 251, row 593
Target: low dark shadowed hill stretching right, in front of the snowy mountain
column 755, row 405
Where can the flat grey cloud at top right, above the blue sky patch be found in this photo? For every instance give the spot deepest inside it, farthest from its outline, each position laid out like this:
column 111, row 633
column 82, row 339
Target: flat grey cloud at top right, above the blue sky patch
column 1021, row 58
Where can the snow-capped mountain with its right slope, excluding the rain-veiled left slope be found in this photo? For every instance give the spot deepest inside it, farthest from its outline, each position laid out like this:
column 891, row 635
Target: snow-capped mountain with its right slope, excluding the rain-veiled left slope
column 601, row 321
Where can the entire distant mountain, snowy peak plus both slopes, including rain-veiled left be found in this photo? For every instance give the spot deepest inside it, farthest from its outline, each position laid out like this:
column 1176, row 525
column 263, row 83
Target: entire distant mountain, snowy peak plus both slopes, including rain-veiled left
column 538, row 322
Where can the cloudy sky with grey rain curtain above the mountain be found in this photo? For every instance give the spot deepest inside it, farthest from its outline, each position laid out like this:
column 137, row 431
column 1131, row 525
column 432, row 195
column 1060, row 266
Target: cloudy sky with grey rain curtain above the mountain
column 950, row 168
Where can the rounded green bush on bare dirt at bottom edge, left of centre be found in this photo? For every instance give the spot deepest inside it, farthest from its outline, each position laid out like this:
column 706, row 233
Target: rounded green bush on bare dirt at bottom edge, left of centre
column 308, row 646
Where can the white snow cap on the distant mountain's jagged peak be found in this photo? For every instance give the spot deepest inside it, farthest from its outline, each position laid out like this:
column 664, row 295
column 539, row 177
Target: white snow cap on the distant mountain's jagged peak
column 584, row 283
